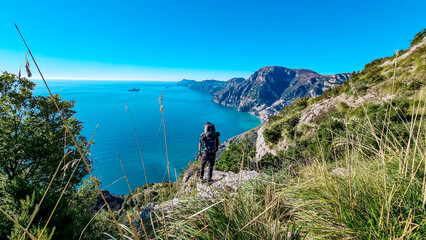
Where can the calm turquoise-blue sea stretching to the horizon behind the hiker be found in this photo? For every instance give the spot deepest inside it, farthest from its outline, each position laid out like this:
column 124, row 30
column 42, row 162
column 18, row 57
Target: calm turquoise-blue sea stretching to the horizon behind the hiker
column 186, row 111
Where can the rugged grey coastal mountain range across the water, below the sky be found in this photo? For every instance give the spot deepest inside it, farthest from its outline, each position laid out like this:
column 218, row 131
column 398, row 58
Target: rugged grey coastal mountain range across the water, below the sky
column 268, row 90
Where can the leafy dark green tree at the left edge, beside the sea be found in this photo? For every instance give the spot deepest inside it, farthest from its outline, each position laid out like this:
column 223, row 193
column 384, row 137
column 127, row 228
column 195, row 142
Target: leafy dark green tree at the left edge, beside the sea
column 34, row 143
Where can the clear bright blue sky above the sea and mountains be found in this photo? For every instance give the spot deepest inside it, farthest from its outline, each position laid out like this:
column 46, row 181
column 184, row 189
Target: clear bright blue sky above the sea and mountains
column 171, row 40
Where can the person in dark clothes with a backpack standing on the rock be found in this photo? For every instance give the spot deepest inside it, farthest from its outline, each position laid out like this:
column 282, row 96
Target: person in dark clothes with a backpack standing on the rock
column 209, row 143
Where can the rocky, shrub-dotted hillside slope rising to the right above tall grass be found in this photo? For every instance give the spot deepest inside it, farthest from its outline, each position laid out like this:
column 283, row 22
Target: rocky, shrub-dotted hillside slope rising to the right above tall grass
column 395, row 80
